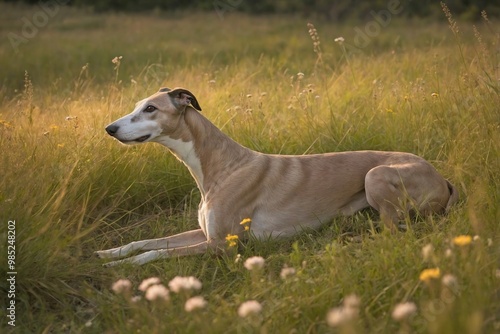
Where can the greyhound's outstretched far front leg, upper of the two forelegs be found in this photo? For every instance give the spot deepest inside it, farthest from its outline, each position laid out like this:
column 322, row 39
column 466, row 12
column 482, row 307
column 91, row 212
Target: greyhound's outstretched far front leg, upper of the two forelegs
column 179, row 240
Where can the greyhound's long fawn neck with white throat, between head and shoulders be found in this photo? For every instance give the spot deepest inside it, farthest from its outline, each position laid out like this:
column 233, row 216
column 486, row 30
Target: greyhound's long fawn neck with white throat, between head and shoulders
column 209, row 154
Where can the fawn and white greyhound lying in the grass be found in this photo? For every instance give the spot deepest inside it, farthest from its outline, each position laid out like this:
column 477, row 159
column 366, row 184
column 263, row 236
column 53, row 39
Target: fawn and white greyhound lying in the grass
column 281, row 194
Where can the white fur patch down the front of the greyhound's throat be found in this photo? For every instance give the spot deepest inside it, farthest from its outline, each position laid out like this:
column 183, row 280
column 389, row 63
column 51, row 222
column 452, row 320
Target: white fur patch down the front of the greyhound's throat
column 184, row 151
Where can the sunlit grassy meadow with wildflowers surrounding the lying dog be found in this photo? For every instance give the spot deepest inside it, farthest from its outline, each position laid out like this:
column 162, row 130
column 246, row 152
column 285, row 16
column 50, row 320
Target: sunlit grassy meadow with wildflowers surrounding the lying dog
column 417, row 86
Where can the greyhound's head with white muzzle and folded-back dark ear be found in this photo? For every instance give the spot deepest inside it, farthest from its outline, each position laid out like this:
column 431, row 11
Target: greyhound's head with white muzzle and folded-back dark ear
column 156, row 116
